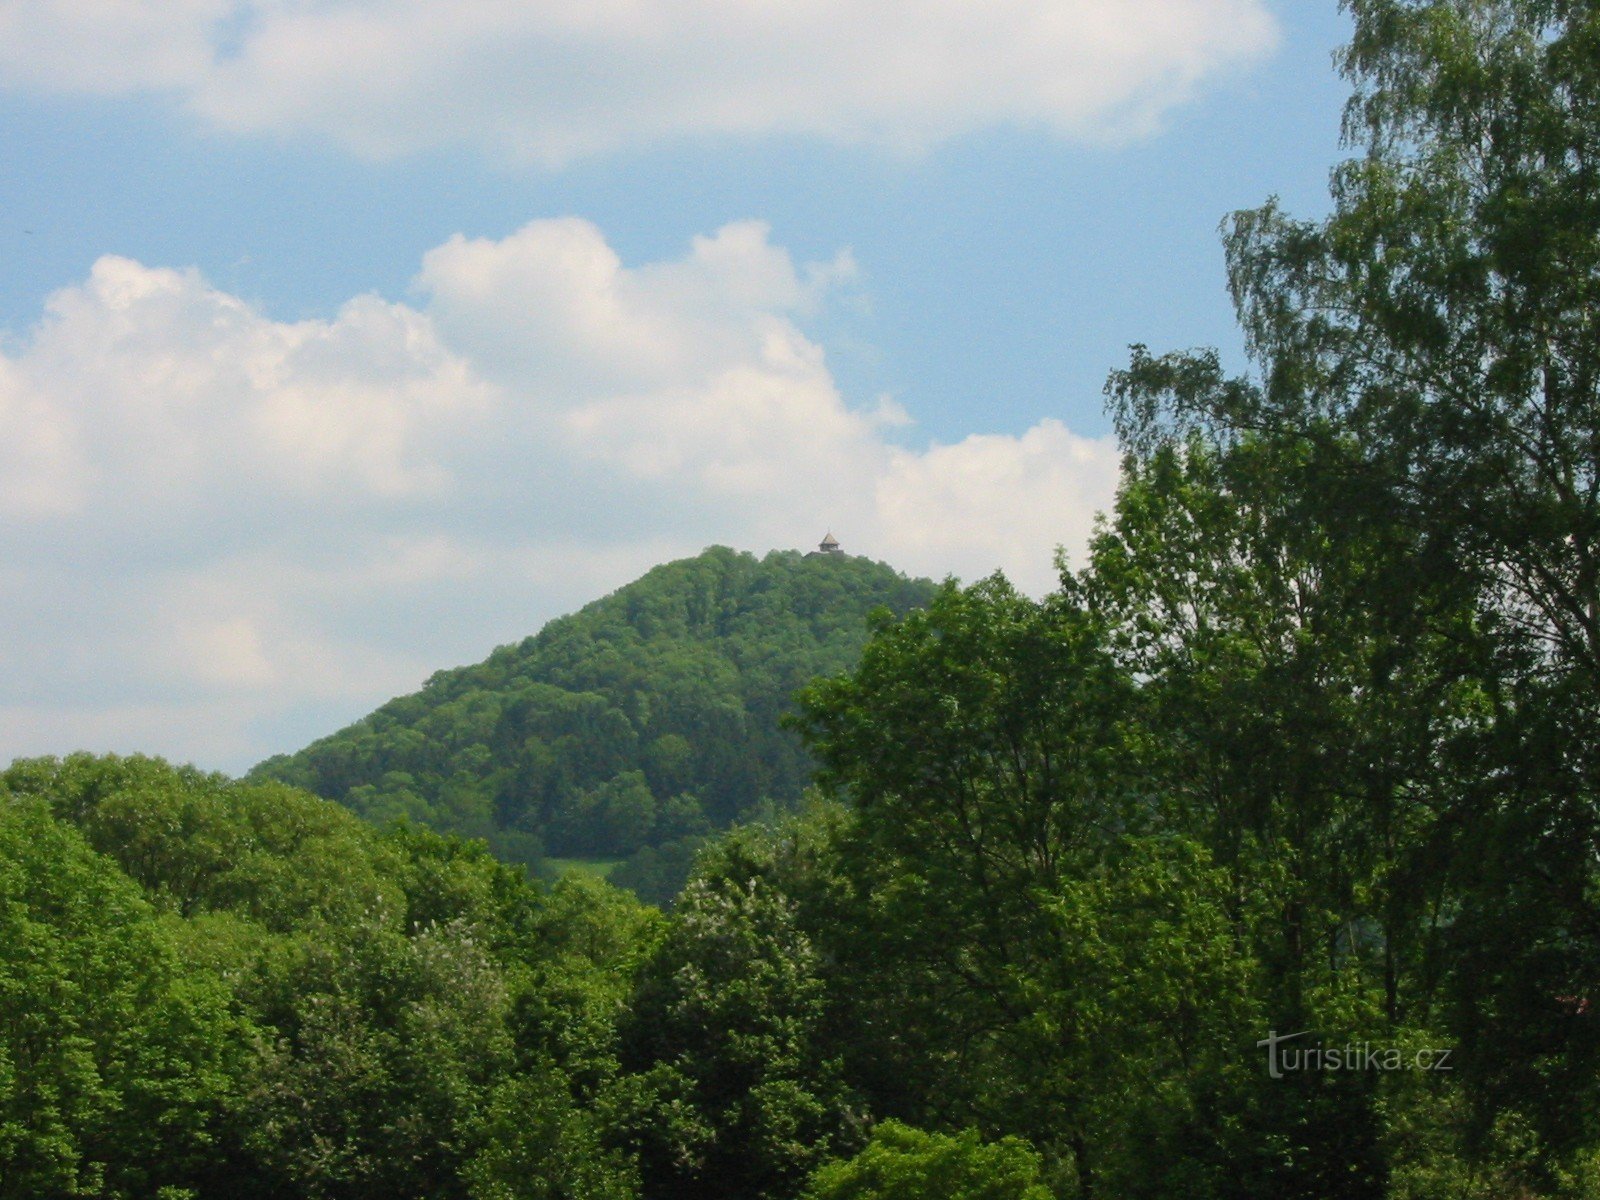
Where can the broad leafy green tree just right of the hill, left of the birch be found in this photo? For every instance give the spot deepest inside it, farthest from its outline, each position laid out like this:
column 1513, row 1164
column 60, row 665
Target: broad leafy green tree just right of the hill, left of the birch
column 1023, row 943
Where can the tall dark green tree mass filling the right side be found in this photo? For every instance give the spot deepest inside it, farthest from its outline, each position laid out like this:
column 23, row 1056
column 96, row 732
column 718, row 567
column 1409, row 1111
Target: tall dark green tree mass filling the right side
column 1263, row 858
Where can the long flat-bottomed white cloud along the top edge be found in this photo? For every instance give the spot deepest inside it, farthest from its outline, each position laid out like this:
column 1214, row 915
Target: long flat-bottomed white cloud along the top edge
column 569, row 78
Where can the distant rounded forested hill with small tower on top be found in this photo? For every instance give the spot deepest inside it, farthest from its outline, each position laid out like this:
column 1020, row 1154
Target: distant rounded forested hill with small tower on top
column 644, row 721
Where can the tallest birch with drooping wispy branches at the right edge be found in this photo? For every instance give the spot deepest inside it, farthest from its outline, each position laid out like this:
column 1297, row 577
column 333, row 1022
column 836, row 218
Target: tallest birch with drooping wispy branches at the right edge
column 1433, row 337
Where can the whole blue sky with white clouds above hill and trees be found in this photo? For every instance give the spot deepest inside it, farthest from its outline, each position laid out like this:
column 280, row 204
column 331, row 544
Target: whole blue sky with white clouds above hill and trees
column 345, row 342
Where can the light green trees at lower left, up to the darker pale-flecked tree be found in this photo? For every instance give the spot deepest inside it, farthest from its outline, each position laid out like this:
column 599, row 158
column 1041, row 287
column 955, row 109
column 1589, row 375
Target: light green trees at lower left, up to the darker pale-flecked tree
column 255, row 994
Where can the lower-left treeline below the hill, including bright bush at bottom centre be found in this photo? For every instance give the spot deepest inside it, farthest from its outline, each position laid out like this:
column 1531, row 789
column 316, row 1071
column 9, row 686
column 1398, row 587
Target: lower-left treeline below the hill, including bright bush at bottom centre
column 225, row 990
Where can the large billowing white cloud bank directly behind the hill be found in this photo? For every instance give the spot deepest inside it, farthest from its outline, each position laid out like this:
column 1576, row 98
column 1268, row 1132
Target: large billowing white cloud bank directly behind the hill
column 262, row 529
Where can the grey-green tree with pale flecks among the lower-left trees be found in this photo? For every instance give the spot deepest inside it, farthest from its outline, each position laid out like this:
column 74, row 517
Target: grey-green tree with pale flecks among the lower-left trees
column 388, row 1046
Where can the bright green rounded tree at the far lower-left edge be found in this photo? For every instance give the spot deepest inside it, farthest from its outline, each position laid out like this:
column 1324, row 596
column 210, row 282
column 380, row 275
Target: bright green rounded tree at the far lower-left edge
column 114, row 1063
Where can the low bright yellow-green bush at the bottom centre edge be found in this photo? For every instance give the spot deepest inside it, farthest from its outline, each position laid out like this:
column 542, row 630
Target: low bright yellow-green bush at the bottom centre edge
column 906, row 1164
